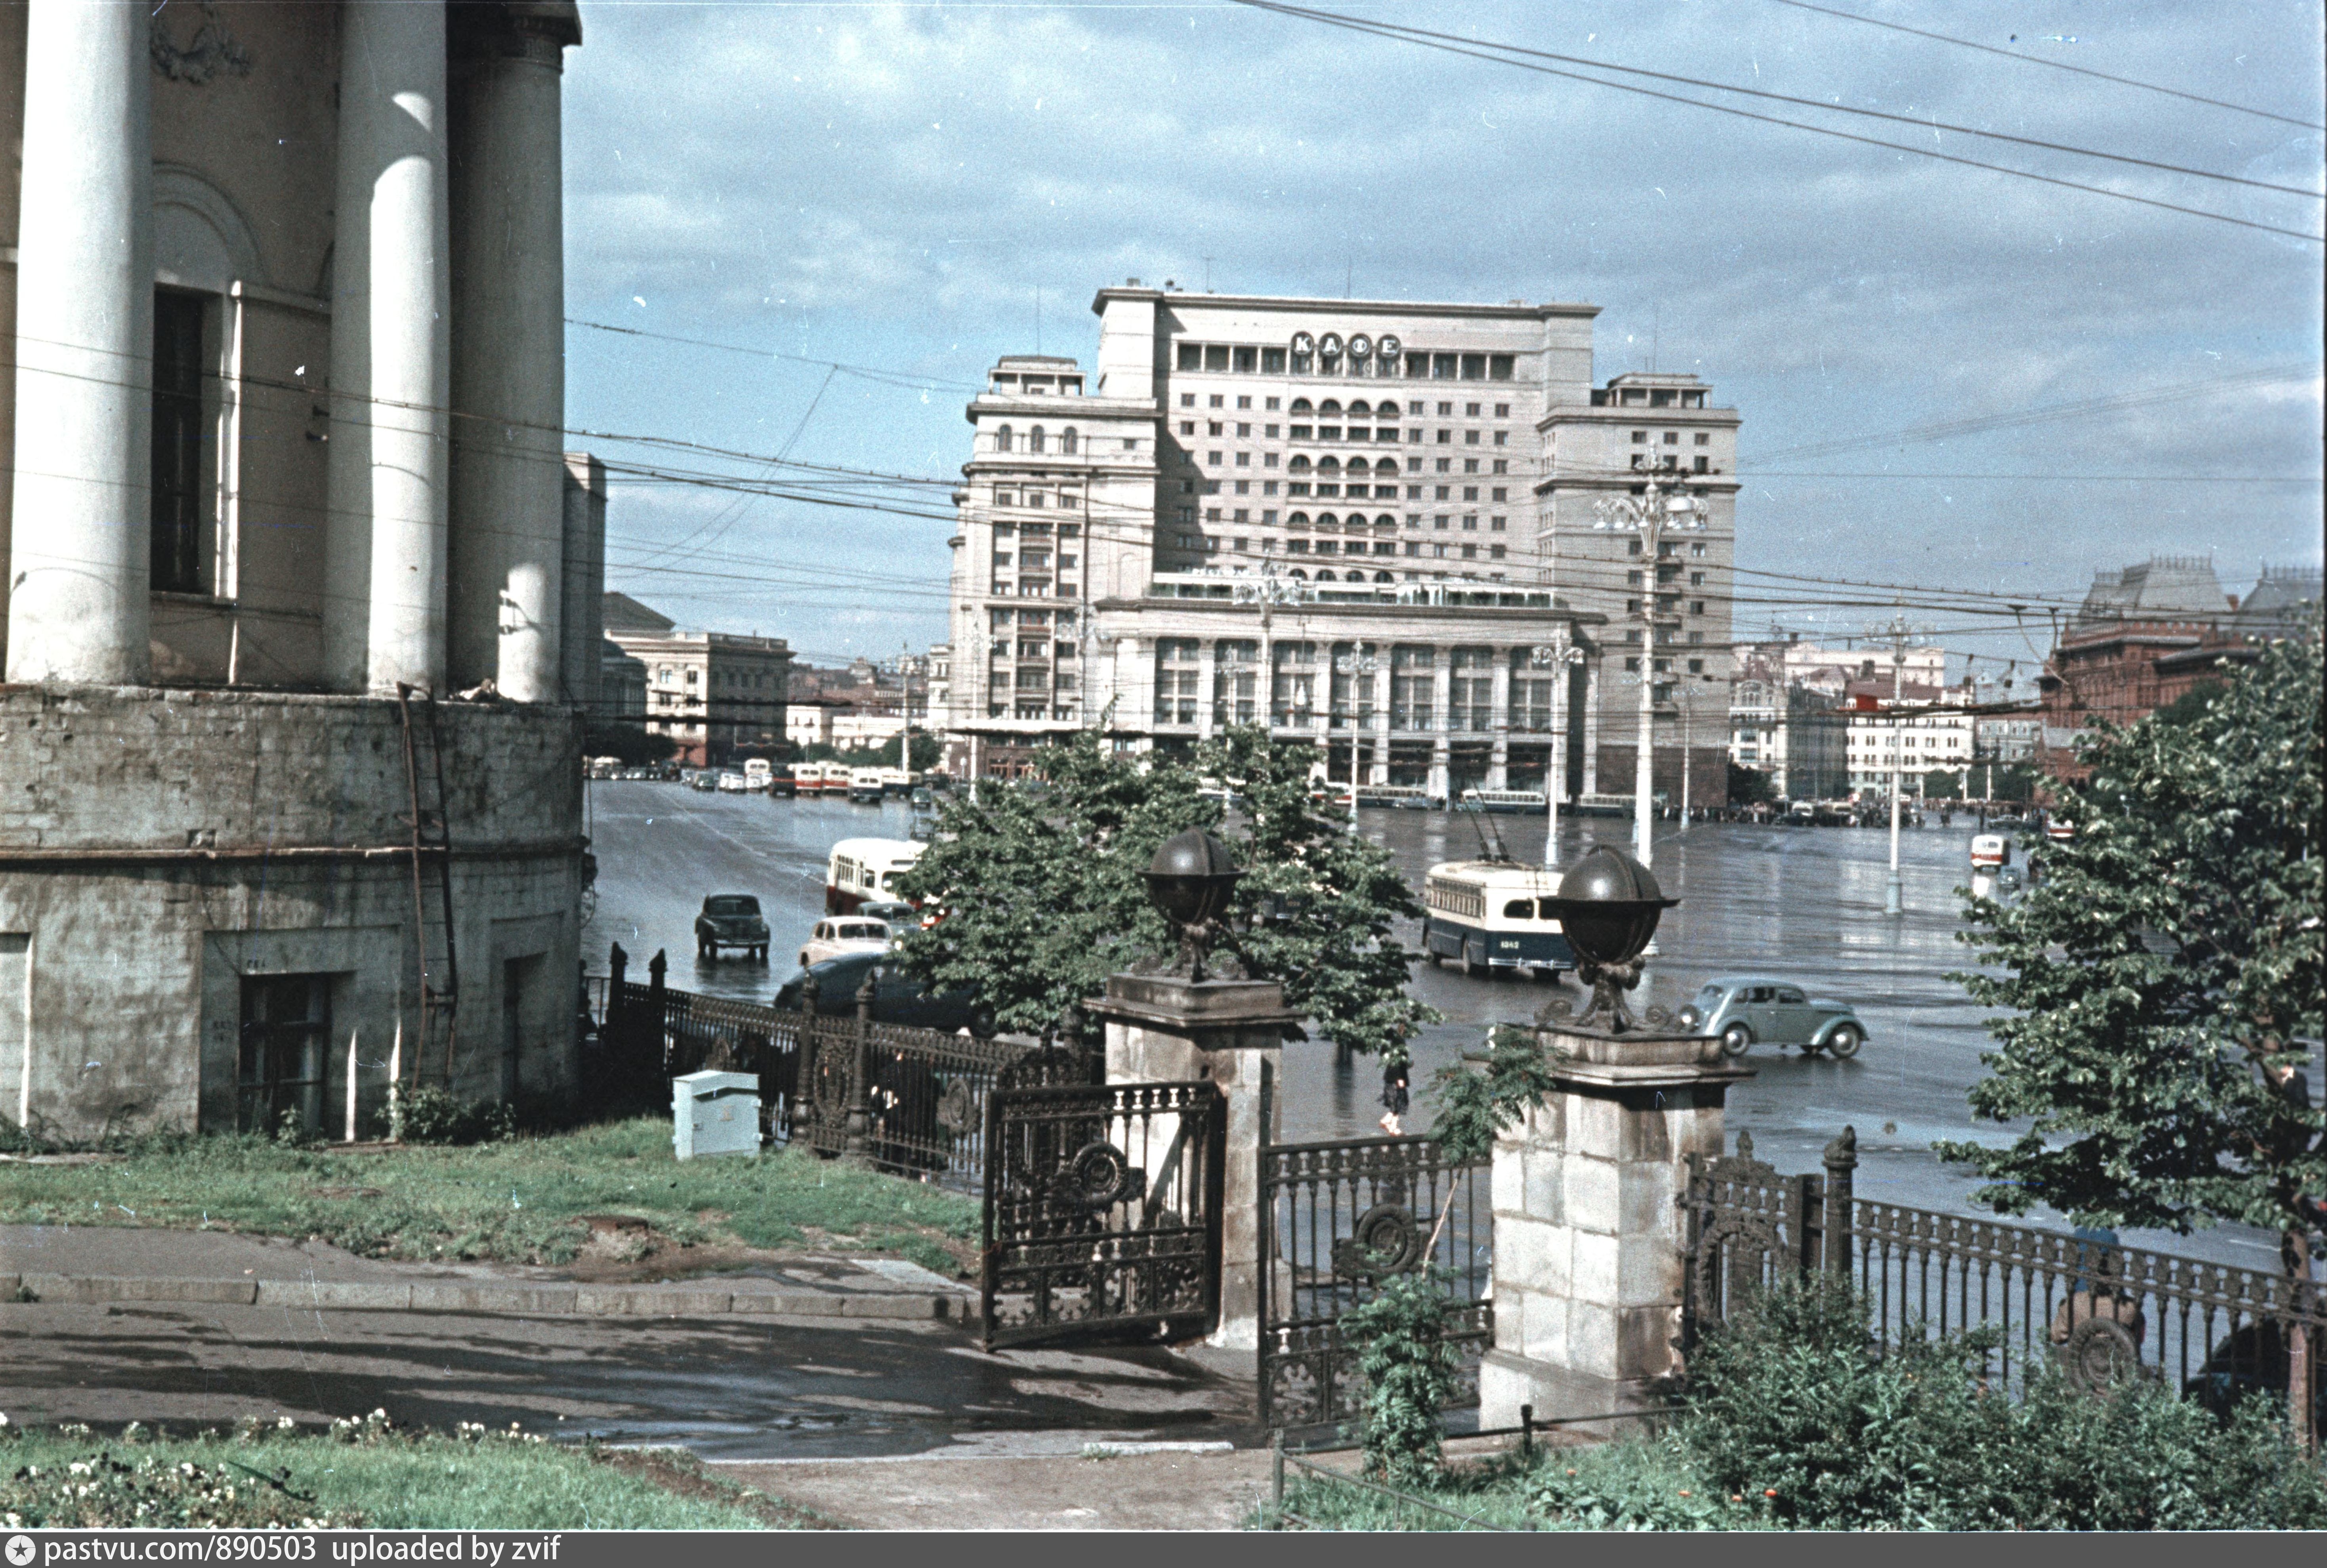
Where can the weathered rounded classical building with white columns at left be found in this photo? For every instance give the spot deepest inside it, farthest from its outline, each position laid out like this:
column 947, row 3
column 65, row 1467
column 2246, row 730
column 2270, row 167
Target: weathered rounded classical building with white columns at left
column 283, row 418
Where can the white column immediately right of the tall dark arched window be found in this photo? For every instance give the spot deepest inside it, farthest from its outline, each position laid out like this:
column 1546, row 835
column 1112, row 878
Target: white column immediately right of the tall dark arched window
column 390, row 355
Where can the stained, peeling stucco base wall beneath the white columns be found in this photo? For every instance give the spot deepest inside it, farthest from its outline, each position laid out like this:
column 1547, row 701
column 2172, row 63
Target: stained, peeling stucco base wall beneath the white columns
column 159, row 848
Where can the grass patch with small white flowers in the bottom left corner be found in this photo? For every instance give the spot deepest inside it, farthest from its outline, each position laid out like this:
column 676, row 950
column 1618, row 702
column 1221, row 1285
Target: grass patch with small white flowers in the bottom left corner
column 364, row 1474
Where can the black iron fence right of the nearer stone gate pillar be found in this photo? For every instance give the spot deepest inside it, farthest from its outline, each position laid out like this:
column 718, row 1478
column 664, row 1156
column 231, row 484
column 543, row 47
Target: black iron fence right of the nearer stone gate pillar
column 2088, row 1304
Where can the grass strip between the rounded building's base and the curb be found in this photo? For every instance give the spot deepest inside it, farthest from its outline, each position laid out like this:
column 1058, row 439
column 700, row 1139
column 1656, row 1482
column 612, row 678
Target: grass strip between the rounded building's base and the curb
column 520, row 1199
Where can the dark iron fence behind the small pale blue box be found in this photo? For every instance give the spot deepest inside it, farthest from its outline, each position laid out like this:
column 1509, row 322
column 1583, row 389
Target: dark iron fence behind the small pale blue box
column 904, row 1099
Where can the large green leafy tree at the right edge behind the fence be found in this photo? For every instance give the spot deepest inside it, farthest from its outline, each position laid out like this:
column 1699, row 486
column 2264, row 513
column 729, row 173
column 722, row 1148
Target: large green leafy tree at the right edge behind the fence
column 2161, row 983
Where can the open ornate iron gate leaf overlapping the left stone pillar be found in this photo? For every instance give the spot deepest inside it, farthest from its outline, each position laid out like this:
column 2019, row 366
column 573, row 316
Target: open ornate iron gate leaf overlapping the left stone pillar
column 1102, row 1213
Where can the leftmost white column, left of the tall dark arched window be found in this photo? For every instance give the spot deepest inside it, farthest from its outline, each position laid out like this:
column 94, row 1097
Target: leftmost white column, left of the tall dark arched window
column 85, row 348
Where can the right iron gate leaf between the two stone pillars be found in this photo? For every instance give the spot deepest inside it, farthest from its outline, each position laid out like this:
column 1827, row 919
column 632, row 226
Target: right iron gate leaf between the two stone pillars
column 1337, row 1220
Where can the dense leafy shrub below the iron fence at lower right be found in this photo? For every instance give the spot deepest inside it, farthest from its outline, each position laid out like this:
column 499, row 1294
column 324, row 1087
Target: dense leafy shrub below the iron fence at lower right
column 1805, row 1418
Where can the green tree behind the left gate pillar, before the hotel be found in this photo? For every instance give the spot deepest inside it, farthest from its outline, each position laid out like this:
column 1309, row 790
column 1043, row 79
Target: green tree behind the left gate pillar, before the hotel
column 1041, row 883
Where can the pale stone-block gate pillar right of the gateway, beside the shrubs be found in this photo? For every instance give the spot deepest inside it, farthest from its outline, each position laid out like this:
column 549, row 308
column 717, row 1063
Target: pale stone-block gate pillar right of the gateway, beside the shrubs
column 1588, row 1223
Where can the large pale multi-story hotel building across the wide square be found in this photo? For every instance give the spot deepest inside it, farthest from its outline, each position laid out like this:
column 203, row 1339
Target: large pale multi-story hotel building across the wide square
column 1365, row 522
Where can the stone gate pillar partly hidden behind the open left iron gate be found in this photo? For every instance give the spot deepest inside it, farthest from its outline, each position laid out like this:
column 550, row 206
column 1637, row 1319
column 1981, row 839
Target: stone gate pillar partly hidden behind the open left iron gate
column 1230, row 1032
